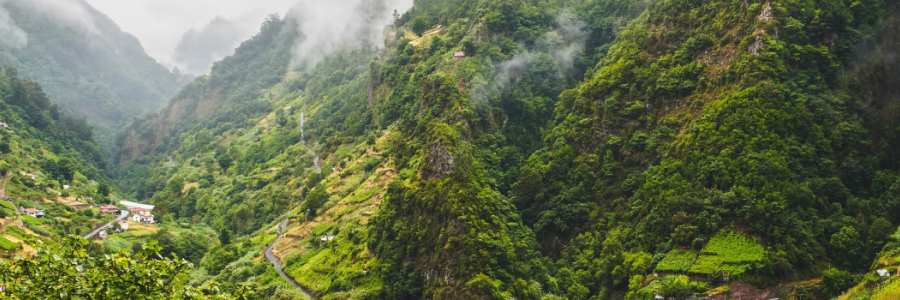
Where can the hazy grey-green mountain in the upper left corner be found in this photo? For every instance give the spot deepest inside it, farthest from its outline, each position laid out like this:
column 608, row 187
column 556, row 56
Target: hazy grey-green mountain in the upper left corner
column 85, row 63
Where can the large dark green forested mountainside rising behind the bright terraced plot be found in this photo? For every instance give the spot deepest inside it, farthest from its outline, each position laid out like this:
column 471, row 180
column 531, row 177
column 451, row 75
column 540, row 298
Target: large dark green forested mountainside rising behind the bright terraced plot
column 719, row 114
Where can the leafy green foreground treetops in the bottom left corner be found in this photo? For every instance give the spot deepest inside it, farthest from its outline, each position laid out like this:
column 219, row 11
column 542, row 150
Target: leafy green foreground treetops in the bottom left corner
column 71, row 273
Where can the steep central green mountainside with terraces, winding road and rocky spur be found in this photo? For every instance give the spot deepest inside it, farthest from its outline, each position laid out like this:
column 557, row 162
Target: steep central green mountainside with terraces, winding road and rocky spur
column 238, row 172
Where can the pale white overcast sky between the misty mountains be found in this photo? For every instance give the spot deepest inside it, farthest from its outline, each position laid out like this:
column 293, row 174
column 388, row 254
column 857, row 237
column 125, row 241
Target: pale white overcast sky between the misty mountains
column 159, row 24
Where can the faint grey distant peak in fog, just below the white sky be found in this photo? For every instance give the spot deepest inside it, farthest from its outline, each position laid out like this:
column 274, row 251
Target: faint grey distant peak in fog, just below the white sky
column 199, row 49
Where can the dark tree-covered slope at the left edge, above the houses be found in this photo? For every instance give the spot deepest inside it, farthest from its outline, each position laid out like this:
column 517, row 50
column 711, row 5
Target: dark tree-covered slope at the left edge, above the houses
column 41, row 139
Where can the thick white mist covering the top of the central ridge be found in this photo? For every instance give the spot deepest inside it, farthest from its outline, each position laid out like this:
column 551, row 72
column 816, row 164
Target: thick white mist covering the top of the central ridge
column 329, row 25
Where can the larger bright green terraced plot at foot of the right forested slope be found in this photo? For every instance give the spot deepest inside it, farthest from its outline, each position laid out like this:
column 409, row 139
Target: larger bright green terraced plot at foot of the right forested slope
column 730, row 253
